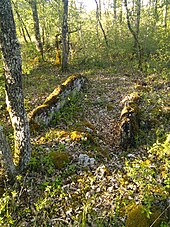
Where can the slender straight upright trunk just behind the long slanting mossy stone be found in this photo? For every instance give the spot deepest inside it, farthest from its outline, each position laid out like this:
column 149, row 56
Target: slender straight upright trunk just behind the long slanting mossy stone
column 65, row 47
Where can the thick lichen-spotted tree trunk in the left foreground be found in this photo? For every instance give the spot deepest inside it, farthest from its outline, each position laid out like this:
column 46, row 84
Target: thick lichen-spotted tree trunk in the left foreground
column 13, row 84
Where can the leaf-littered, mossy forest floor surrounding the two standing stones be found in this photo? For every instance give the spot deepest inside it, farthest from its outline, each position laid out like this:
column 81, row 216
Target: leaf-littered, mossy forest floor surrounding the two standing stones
column 77, row 181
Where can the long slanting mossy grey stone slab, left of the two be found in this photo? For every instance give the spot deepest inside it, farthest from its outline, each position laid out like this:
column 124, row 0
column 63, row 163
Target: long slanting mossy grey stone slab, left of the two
column 43, row 114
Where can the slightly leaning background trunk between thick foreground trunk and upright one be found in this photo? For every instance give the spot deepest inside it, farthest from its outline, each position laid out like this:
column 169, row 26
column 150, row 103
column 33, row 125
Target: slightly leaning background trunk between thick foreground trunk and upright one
column 39, row 45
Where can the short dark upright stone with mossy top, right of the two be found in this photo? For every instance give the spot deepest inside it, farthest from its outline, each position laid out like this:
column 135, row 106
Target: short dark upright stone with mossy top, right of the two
column 129, row 121
